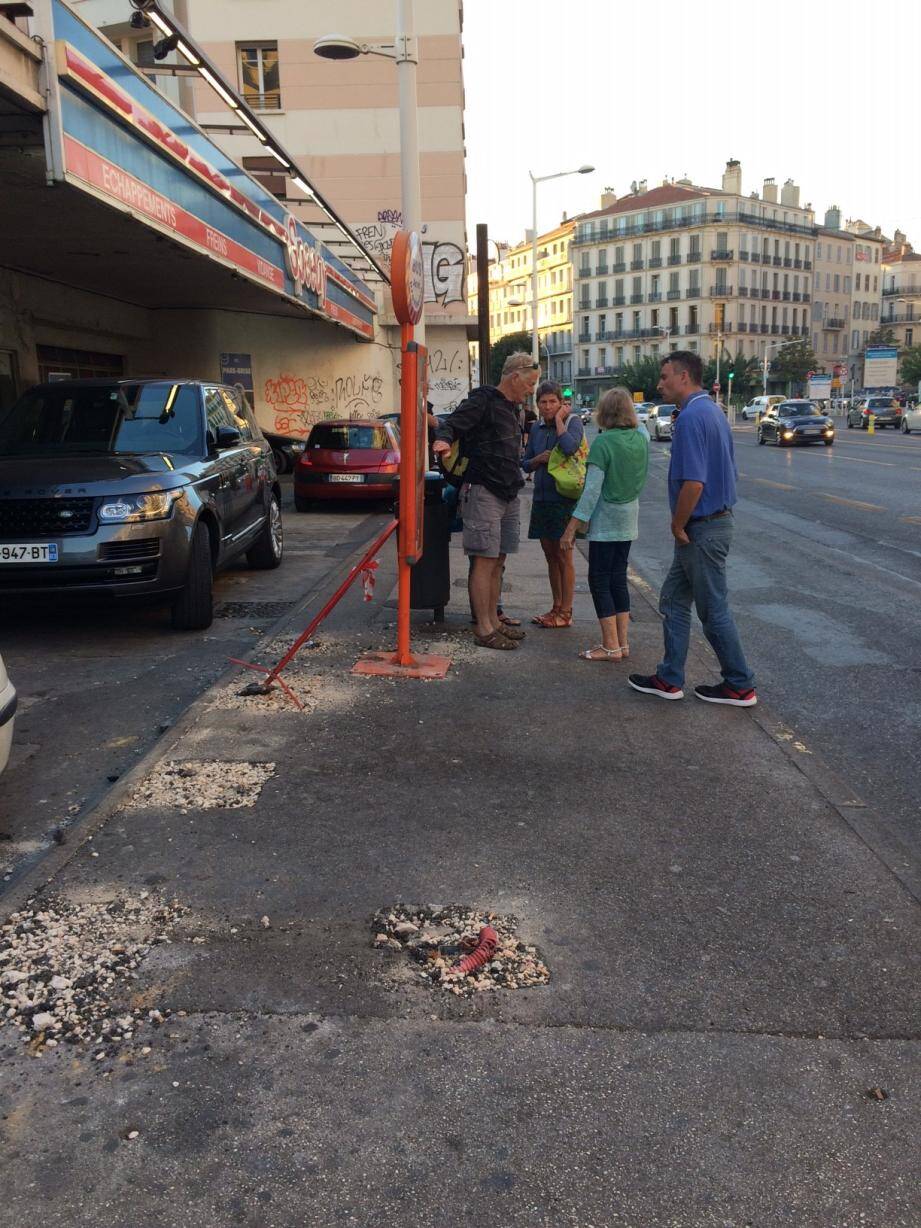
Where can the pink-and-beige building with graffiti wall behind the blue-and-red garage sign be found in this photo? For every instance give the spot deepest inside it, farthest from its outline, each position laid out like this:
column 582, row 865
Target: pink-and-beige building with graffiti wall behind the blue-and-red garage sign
column 341, row 123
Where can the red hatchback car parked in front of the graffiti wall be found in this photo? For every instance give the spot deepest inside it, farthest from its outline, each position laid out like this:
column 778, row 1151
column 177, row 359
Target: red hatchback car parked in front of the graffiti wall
column 348, row 459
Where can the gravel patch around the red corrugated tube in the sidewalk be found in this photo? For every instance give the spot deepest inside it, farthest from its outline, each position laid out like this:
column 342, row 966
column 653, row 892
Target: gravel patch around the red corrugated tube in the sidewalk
column 438, row 938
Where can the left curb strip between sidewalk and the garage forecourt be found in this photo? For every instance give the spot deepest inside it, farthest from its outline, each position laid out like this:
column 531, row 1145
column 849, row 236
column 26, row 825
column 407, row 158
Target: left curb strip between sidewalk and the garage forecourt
column 37, row 875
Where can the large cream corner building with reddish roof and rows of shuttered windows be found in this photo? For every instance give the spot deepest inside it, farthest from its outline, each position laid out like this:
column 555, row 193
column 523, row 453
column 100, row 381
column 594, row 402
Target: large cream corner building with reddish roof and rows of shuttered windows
column 683, row 266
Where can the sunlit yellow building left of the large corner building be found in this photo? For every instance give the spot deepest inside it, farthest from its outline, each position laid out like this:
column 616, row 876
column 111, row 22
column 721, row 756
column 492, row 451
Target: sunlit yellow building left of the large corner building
column 510, row 298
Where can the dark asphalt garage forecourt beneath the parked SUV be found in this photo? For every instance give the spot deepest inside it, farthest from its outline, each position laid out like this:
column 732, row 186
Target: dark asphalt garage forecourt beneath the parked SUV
column 99, row 685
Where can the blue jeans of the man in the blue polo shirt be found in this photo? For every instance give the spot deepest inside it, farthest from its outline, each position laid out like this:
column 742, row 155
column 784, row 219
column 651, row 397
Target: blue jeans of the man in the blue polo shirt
column 698, row 577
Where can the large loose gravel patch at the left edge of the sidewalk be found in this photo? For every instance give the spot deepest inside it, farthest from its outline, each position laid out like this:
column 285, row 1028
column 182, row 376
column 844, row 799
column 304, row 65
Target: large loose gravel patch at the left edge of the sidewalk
column 62, row 965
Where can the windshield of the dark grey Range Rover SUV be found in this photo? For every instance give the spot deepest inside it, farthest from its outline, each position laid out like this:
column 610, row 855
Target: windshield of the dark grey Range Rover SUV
column 64, row 421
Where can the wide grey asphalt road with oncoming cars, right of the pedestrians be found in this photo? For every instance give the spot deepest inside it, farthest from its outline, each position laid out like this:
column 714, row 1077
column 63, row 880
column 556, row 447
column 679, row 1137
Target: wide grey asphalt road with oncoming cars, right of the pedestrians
column 826, row 581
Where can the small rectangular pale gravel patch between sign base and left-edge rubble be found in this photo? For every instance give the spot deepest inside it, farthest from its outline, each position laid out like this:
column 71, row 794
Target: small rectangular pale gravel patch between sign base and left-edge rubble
column 202, row 785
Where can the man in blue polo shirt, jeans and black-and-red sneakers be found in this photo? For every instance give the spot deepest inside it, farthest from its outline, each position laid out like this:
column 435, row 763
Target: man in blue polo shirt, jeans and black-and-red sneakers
column 702, row 494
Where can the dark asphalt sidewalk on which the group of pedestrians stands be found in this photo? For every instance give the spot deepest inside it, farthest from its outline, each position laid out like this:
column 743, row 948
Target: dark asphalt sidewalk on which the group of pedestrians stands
column 734, row 970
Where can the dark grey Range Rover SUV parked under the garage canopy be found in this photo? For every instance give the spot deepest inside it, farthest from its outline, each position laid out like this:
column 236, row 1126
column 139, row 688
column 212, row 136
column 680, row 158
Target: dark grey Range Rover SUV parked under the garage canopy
column 134, row 488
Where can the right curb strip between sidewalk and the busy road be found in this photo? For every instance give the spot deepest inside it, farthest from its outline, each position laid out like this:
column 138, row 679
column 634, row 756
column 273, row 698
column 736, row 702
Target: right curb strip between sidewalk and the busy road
column 866, row 823
